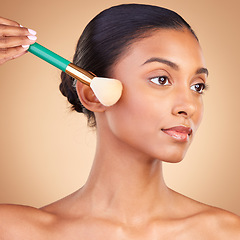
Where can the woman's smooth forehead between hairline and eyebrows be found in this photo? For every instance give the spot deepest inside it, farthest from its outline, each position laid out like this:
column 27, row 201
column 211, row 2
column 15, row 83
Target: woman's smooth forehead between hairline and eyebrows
column 178, row 46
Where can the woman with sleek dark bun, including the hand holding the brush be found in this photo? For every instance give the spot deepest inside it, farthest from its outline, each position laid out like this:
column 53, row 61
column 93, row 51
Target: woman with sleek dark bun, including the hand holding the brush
column 158, row 59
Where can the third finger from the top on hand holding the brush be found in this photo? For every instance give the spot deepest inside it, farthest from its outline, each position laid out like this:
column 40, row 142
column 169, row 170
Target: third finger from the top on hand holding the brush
column 8, row 42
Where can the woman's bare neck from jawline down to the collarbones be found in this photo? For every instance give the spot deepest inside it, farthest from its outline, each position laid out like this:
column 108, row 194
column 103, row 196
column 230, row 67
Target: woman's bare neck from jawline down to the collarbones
column 125, row 183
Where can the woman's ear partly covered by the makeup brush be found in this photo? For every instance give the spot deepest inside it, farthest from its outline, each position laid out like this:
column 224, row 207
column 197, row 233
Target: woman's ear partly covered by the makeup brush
column 88, row 98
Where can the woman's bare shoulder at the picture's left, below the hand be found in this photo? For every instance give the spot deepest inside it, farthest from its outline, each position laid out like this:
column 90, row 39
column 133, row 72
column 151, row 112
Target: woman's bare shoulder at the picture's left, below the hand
column 19, row 221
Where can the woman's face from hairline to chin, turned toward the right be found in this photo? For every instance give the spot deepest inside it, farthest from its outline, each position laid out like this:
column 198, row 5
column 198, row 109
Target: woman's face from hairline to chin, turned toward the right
column 161, row 107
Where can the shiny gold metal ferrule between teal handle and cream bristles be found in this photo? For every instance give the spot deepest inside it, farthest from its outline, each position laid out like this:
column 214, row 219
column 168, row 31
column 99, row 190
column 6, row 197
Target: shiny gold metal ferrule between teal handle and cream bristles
column 79, row 74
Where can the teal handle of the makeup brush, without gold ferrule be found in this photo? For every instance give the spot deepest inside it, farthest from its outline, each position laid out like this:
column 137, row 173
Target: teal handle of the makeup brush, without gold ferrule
column 49, row 56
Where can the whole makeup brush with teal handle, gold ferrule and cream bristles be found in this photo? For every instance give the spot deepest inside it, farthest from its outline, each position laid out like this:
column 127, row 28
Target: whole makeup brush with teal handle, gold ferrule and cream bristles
column 107, row 90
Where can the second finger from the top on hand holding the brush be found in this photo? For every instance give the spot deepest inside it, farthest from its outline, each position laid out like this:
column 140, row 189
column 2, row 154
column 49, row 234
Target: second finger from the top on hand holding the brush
column 6, row 30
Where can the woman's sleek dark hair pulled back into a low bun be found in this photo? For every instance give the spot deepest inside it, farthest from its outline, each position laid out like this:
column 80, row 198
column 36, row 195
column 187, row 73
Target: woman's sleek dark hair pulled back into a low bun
column 108, row 35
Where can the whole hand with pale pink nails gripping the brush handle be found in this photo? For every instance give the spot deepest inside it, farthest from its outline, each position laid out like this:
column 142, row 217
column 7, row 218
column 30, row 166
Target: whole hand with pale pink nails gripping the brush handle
column 14, row 39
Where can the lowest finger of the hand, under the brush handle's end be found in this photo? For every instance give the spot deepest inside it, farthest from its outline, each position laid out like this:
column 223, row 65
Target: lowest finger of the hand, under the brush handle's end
column 11, row 53
